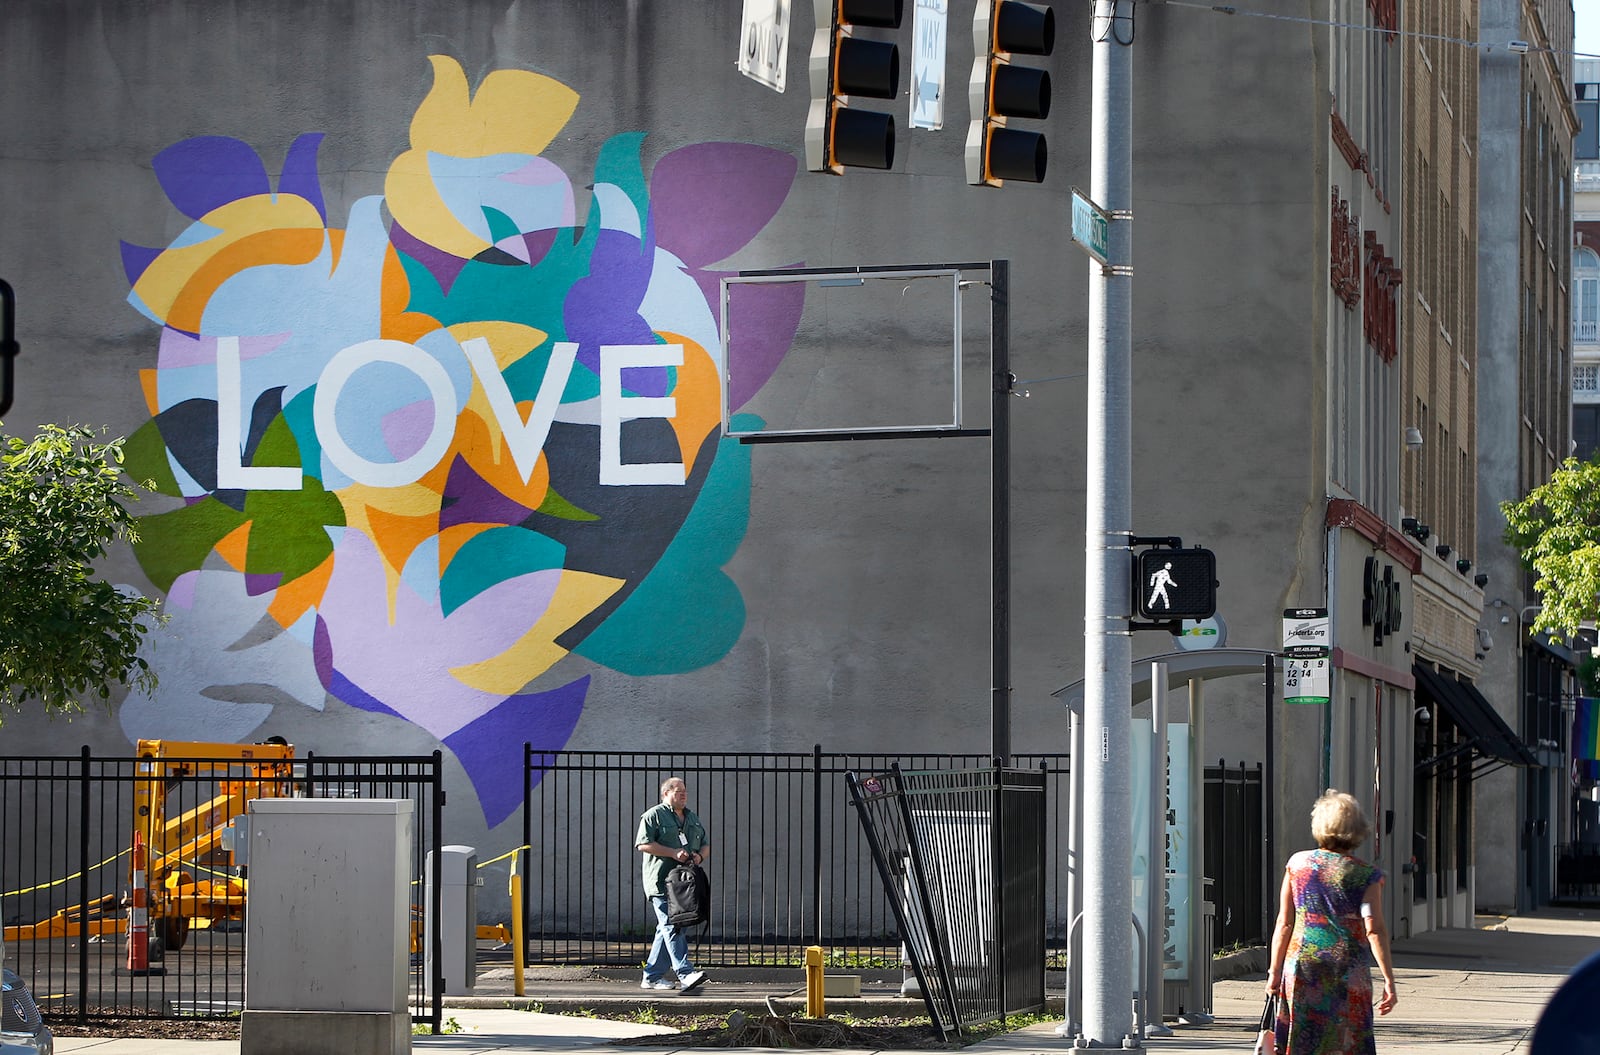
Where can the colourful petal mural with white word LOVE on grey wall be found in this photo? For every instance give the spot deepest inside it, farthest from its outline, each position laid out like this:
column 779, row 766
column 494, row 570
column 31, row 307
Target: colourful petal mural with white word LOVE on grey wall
column 420, row 460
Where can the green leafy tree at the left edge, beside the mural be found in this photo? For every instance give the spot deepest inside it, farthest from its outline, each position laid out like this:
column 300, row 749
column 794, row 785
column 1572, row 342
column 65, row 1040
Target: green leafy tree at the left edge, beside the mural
column 65, row 633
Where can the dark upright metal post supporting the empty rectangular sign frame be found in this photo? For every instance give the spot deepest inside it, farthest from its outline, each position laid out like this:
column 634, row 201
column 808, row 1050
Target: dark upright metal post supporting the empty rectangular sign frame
column 1001, row 510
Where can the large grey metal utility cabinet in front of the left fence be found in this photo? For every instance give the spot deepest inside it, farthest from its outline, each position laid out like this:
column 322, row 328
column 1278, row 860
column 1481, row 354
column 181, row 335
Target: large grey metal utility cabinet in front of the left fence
column 327, row 941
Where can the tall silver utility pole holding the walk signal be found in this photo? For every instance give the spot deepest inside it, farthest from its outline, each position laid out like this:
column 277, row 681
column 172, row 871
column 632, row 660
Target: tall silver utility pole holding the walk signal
column 1108, row 601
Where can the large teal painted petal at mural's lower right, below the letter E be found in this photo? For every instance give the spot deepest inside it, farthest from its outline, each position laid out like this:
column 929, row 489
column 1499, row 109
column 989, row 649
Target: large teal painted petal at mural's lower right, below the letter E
column 687, row 614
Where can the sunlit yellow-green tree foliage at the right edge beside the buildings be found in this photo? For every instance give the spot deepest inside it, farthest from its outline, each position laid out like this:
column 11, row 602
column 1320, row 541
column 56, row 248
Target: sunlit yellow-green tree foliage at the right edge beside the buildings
column 1558, row 532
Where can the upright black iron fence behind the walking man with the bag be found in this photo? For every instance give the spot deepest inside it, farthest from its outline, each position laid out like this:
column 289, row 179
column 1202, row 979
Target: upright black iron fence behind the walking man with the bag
column 790, row 864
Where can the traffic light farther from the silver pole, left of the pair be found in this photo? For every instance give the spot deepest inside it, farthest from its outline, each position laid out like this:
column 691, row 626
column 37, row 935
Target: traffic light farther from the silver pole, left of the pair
column 846, row 66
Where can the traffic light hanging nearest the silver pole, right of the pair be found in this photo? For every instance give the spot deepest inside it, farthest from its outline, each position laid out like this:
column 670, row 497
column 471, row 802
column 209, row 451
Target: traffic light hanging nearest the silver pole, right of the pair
column 999, row 92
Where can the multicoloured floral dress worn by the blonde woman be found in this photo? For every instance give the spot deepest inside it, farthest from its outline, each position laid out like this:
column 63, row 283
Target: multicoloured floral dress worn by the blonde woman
column 1327, row 1005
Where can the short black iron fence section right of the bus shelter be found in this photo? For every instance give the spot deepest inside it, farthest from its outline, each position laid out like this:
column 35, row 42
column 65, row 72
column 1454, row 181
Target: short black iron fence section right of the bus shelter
column 1234, row 854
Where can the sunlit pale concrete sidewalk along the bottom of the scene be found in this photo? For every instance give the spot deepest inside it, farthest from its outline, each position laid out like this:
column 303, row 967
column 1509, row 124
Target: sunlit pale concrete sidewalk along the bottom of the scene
column 1462, row 992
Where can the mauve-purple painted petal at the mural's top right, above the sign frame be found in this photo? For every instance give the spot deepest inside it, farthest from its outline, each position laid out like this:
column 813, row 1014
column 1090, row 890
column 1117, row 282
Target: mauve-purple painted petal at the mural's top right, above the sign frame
column 708, row 201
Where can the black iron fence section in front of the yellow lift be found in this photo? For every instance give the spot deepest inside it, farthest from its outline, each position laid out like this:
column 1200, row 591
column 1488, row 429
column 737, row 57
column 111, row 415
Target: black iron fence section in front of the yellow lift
column 68, row 860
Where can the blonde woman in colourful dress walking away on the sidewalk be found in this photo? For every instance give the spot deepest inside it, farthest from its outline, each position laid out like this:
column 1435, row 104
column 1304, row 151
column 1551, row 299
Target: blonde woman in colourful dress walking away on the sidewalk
column 1330, row 913
